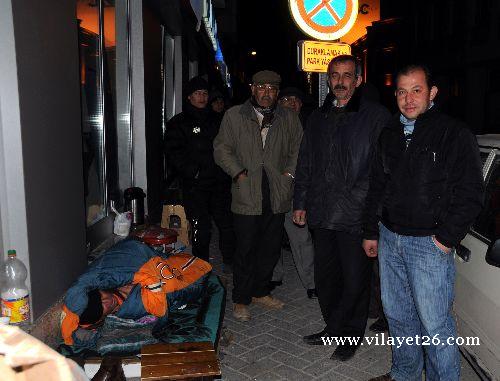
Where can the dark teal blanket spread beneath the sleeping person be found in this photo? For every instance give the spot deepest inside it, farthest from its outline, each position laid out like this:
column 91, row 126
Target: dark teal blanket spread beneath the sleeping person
column 200, row 320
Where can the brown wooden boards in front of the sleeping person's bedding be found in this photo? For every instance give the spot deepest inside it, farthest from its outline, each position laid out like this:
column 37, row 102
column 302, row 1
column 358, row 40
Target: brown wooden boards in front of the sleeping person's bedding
column 180, row 361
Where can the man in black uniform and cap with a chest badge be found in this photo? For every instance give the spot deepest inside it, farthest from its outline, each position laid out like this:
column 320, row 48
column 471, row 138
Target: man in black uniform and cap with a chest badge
column 206, row 189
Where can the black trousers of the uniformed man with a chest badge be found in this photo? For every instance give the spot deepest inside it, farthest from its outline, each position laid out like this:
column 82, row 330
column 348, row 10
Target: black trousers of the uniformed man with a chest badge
column 201, row 205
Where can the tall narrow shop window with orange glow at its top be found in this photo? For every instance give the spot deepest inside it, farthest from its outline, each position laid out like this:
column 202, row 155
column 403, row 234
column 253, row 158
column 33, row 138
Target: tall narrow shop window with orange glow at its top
column 105, row 102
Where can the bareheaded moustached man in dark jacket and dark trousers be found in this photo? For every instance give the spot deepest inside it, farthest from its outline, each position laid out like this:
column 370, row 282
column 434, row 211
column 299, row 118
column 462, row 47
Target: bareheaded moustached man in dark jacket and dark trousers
column 331, row 185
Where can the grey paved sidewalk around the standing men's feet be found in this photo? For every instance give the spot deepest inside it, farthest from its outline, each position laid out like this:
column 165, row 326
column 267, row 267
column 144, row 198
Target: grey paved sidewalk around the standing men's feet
column 270, row 347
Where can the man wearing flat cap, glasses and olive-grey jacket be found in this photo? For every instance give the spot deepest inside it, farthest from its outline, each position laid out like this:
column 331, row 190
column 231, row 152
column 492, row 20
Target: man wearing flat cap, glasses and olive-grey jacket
column 257, row 146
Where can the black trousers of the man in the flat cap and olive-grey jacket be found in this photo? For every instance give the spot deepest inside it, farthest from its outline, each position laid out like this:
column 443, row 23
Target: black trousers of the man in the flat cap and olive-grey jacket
column 257, row 252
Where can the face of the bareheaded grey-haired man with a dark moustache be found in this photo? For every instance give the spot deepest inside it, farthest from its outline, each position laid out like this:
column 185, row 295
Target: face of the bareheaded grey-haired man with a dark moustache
column 343, row 81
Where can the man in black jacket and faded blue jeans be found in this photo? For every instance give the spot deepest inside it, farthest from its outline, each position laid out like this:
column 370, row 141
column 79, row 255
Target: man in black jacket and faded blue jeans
column 426, row 189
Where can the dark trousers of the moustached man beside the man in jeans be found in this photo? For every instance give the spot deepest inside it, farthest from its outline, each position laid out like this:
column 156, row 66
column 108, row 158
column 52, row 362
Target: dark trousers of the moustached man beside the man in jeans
column 342, row 274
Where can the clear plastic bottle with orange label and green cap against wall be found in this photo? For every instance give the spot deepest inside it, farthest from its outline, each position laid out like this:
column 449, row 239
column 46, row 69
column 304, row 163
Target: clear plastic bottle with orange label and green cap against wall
column 15, row 294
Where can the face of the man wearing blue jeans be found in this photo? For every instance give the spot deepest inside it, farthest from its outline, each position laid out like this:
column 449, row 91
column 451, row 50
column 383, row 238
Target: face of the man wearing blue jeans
column 413, row 94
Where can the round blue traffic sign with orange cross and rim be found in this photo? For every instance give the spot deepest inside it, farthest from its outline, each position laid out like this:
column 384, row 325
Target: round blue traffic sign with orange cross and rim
column 324, row 19
